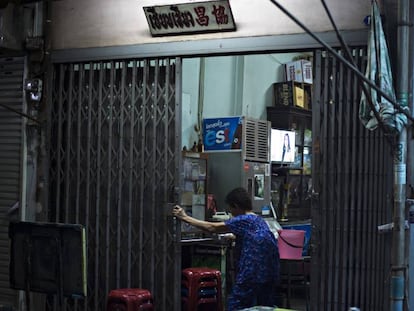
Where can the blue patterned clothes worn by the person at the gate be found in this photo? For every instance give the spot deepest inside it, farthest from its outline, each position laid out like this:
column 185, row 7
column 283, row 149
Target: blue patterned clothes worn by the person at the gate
column 257, row 263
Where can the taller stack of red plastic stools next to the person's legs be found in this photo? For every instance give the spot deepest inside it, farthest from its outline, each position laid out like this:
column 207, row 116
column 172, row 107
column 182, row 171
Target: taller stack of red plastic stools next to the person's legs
column 201, row 287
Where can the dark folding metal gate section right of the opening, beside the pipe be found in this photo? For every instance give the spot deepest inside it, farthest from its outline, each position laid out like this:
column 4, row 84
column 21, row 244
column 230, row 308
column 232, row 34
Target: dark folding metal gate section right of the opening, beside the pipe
column 353, row 191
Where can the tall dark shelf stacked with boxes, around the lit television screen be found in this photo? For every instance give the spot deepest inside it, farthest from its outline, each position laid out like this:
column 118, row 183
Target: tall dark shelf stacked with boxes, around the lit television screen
column 291, row 111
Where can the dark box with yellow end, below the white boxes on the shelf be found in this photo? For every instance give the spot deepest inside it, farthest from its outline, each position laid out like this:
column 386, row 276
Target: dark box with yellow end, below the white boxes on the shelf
column 289, row 94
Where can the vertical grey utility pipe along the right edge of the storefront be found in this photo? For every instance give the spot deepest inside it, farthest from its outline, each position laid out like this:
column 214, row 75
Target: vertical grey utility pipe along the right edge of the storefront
column 398, row 259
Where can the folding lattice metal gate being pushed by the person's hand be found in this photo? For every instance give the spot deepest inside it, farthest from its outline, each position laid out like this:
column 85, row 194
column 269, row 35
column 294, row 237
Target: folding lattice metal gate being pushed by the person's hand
column 114, row 162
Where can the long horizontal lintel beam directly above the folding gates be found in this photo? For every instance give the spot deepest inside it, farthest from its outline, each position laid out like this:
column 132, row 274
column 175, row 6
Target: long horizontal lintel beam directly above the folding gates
column 264, row 44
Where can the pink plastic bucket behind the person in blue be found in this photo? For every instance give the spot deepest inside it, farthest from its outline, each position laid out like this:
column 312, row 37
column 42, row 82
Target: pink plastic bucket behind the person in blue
column 290, row 243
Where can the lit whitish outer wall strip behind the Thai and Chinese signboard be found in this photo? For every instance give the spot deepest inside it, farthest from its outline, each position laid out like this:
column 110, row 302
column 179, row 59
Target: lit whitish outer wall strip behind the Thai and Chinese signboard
column 98, row 23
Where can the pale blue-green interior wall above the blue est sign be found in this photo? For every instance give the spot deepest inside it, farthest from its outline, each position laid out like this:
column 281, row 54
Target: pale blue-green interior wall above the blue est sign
column 232, row 86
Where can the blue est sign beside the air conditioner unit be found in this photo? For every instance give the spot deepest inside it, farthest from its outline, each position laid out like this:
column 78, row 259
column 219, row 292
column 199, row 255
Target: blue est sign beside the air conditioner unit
column 220, row 134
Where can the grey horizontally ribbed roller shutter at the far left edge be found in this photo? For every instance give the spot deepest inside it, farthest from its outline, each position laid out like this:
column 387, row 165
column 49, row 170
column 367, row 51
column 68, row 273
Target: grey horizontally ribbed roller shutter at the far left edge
column 12, row 129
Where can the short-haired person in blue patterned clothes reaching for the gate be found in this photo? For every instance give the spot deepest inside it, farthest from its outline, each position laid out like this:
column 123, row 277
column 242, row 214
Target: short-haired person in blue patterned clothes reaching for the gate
column 257, row 254
